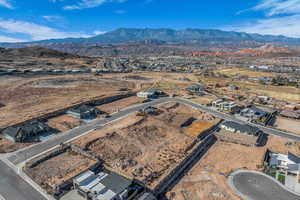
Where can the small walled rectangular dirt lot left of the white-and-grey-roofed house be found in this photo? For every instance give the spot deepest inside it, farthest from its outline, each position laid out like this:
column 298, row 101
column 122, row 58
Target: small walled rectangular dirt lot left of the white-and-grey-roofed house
column 59, row 169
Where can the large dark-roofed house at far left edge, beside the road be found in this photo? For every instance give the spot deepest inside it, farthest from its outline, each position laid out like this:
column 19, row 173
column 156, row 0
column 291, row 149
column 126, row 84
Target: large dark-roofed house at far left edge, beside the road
column 25, row 132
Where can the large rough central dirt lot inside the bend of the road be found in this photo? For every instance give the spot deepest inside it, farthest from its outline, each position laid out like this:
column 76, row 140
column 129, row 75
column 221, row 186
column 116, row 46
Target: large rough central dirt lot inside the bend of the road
column 144, row 147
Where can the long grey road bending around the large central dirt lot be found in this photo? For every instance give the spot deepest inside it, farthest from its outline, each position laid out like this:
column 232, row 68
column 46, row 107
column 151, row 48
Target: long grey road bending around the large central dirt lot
column 27, row 153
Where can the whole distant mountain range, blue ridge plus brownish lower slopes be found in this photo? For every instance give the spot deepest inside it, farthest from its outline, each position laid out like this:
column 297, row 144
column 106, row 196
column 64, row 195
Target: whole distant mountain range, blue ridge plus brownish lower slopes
column 128, row 41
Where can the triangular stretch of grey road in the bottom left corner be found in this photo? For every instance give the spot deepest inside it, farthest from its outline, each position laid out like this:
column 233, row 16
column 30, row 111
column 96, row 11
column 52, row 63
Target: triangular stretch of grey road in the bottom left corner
column 13, row 187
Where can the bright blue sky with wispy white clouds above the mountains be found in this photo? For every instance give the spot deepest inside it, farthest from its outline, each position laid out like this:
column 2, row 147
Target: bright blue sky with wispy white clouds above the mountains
column 27, row 20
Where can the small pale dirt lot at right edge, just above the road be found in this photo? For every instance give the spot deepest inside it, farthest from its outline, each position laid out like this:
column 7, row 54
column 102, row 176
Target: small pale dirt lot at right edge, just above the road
column 288, row 125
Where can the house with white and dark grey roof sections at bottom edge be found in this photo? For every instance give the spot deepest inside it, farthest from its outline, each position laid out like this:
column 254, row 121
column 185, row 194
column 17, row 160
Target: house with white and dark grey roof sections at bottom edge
column 105, row 185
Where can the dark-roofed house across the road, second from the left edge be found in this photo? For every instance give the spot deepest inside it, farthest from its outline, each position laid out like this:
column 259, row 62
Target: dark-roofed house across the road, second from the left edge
column 84, row 112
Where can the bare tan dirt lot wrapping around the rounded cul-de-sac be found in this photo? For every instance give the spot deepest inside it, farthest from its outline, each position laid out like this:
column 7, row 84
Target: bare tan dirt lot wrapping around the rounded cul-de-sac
column 208, row 178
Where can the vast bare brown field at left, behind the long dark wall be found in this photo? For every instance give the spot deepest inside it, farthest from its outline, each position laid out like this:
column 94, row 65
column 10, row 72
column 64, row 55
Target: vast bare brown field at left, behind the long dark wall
column 30, row 97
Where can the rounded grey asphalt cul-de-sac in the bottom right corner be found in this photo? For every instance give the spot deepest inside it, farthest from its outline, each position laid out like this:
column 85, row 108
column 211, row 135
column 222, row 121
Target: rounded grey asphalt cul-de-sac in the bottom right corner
column 256, row 186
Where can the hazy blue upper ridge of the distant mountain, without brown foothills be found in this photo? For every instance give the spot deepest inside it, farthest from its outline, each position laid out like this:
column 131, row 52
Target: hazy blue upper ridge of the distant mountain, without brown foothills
column 122, row 35
